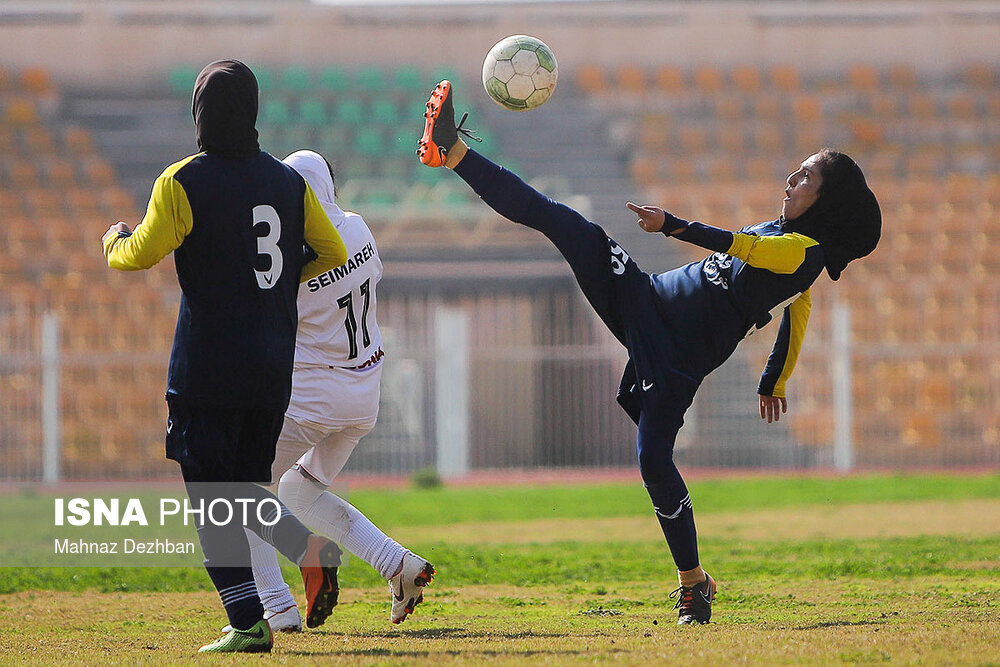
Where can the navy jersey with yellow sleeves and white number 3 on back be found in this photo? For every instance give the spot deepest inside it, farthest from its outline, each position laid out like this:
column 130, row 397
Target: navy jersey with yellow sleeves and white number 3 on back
column 237, row 228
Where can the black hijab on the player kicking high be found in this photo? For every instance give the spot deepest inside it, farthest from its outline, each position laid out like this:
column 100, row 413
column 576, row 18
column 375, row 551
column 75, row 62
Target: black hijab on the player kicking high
column 846, row 219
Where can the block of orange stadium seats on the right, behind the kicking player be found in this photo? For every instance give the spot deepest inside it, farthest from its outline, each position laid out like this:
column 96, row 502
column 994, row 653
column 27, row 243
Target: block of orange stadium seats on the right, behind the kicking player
column 928, row 145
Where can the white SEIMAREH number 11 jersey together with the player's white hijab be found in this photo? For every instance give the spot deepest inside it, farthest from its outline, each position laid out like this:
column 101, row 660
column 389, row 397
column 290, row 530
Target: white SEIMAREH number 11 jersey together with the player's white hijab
column 338, row 346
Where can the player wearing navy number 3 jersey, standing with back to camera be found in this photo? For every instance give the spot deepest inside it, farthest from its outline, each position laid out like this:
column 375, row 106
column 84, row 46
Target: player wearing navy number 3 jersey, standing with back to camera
column 236, row 220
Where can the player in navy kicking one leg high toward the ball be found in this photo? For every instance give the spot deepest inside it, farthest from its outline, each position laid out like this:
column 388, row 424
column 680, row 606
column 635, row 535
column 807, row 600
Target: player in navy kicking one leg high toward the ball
column 680, row 325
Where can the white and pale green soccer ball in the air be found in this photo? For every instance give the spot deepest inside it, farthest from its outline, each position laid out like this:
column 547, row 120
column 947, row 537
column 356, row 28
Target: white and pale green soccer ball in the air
column 520, row 73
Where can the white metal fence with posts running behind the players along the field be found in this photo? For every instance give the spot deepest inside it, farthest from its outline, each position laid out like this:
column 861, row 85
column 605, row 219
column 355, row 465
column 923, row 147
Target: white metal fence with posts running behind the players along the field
column 525, row 379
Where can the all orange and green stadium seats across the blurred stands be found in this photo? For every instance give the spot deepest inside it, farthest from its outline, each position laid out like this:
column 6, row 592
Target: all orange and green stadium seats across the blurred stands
column 707, row 143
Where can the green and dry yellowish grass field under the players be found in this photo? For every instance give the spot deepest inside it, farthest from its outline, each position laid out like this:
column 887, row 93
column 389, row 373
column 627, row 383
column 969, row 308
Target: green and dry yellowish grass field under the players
column 856, row 570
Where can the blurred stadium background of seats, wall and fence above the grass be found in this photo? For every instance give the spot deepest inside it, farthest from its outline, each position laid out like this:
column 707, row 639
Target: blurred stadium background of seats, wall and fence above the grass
column 494, row 359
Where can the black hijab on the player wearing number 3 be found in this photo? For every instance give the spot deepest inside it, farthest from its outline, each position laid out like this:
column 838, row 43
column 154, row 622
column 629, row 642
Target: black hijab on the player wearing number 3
column 225, row 109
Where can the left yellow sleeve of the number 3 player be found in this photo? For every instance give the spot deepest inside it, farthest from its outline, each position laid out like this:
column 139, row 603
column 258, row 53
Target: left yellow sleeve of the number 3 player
column 167, row 222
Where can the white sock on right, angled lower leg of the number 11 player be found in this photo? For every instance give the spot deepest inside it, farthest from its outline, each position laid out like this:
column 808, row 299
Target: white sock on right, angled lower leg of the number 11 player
column 341, row 522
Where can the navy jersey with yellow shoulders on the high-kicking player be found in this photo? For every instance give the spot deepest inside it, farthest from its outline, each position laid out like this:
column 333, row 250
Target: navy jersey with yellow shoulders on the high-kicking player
column 754, row 274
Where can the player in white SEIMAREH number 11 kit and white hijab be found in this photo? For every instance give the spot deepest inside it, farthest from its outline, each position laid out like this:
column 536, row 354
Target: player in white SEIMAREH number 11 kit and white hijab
column 335, row 397
